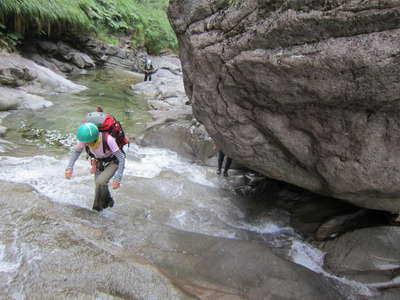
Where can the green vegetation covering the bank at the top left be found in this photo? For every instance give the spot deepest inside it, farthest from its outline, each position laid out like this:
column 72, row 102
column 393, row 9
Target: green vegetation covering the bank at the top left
column 146, row 20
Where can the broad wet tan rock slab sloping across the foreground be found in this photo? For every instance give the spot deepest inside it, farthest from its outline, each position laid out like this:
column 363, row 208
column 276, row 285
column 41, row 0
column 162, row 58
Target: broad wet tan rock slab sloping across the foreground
column 71, row 251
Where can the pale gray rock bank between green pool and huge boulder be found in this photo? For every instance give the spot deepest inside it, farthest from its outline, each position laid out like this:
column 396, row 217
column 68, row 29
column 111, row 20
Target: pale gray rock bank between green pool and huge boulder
column 173, row 126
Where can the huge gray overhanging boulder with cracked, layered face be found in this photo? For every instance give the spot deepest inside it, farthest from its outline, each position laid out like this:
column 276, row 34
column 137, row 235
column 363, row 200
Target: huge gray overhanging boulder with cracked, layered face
column 301, row 91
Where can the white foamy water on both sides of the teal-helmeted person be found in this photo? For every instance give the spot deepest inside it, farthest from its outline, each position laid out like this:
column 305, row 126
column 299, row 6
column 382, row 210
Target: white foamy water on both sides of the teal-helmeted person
column 46, row 173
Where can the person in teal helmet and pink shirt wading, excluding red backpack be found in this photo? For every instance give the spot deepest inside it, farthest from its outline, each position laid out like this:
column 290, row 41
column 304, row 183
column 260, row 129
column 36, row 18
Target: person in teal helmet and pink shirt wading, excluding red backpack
column 108, row 161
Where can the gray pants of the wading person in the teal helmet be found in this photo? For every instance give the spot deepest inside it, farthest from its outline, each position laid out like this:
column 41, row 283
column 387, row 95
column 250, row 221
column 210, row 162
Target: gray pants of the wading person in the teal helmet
column 102, row 196
